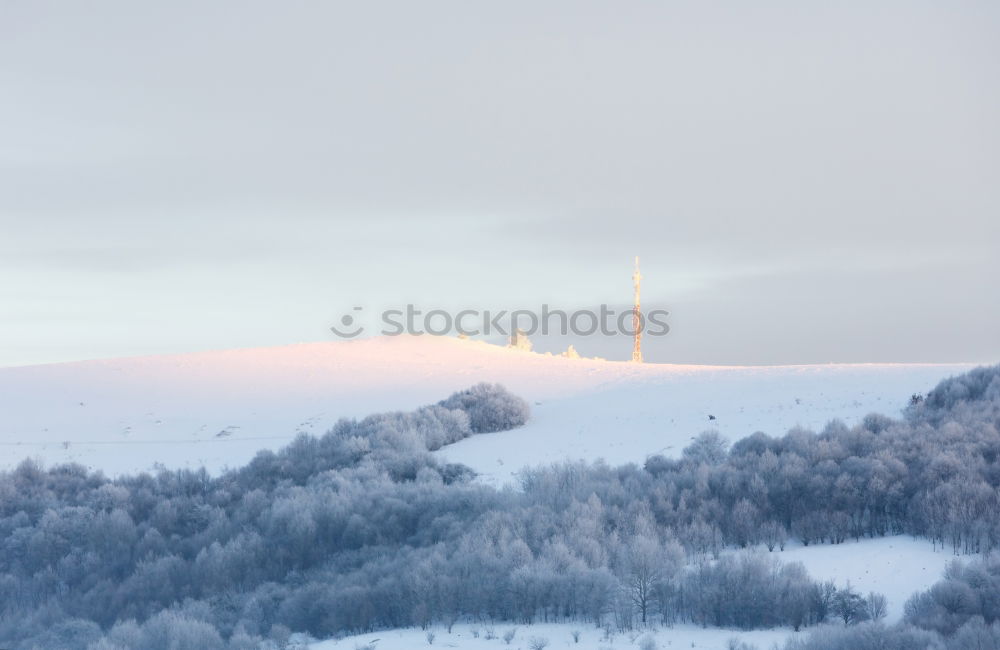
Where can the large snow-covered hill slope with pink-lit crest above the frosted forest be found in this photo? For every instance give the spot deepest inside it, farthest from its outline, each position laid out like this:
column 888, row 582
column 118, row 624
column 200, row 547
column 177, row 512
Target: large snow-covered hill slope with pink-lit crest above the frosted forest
column 218, row 408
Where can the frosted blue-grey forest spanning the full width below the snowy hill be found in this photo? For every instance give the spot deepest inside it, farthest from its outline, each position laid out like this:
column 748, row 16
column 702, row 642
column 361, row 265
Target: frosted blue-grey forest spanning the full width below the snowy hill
column 363, row 528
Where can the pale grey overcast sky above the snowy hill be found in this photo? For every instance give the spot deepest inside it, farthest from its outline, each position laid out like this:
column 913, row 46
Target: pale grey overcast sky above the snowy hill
column 805, row 181
